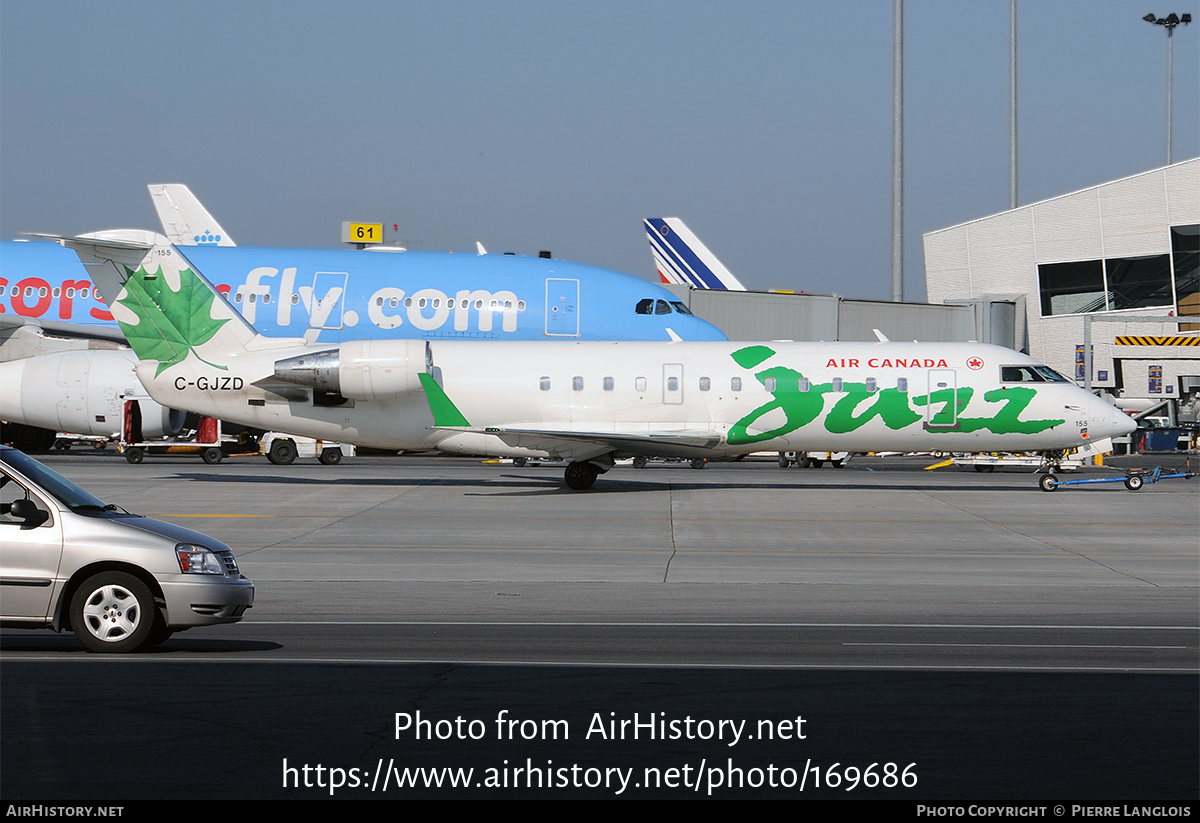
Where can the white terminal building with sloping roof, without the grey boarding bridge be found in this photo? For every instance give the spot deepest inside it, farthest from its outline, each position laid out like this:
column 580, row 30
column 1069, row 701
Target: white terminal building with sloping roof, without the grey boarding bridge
column 1103, row 280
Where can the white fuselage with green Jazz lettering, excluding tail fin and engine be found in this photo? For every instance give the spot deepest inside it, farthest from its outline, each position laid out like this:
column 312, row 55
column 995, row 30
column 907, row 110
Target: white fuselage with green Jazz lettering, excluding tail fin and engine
column 745, row 397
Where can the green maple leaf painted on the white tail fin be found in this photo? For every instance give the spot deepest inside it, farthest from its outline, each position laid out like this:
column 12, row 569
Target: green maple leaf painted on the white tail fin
column 170, row 323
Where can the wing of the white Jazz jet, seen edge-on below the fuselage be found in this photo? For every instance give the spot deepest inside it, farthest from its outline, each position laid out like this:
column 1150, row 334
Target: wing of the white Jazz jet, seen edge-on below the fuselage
column 578, row 446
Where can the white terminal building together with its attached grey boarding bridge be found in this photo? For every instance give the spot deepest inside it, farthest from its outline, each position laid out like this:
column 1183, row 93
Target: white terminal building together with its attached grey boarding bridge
column 1101, row 285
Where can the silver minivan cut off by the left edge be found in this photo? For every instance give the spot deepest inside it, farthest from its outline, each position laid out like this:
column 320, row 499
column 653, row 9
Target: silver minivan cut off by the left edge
column 119, row 581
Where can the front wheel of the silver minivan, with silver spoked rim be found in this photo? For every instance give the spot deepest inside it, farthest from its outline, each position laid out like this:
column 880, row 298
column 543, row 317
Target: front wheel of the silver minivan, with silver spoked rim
column 113, row 612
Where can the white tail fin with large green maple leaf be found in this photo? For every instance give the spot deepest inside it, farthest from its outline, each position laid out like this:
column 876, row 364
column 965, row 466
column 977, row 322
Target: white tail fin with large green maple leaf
column 164, row 305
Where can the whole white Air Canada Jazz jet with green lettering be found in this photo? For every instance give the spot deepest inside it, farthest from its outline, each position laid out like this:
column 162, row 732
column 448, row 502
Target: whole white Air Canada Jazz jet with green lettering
column 585, row 403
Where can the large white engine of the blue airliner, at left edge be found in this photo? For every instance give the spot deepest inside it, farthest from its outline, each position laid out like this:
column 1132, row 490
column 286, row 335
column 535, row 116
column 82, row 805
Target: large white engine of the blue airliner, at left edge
column 81, row 393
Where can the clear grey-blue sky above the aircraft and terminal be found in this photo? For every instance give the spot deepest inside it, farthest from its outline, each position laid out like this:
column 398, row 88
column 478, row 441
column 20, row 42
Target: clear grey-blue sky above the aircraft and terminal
column 532, row 125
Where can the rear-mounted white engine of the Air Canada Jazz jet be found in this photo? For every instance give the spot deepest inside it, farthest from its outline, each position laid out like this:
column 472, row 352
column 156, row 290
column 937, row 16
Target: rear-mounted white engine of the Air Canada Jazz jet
column 362, row 369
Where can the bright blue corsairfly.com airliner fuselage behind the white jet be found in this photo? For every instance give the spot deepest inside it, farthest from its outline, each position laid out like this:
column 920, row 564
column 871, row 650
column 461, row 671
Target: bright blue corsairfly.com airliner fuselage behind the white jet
column 327, row 295
